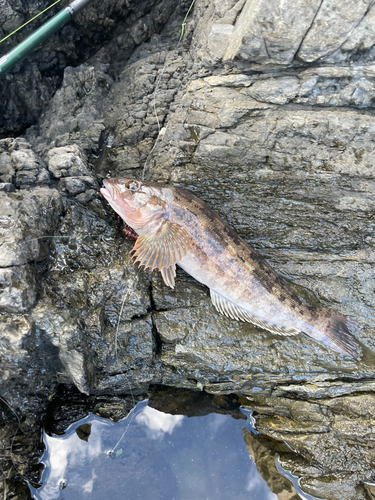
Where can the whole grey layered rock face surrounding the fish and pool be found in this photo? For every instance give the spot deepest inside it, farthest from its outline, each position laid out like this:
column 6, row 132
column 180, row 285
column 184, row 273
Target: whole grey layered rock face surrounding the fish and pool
column 265, row 110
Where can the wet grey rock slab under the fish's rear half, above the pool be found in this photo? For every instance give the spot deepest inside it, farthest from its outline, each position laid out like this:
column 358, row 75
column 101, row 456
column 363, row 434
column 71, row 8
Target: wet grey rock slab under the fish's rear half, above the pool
column 225, row 355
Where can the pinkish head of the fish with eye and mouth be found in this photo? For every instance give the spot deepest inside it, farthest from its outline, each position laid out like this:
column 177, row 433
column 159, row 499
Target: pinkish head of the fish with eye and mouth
column 141, row 205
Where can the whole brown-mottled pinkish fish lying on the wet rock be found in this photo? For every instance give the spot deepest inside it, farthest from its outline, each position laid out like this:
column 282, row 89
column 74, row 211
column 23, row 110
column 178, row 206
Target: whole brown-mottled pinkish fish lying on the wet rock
column 175, row 227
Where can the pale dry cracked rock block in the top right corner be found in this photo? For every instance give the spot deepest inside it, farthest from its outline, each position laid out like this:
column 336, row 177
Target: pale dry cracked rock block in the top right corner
column 267, row 33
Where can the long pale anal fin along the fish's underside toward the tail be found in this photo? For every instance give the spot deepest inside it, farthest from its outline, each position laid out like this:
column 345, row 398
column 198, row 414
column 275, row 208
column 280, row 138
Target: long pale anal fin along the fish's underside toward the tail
column 229, row 309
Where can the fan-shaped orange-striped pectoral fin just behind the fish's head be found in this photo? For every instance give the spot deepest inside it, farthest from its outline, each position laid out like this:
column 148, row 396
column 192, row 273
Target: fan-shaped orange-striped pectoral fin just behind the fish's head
column 162, row 250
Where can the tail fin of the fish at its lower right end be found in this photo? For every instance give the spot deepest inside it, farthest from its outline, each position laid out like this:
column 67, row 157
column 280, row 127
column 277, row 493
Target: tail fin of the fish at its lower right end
column 335, row 330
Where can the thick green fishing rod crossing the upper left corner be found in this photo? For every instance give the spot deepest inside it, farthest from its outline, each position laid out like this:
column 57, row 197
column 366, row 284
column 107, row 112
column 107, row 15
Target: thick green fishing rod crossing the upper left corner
column 47, row 29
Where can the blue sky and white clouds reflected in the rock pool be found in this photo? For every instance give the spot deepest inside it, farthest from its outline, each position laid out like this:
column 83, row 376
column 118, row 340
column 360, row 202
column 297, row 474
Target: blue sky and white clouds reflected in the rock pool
column 160, row 457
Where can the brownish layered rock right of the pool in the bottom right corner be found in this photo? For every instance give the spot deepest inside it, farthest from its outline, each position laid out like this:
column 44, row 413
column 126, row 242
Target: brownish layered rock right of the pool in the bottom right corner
column 334, row 437
